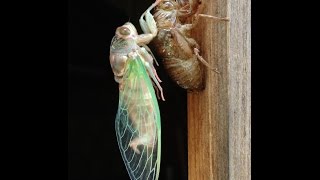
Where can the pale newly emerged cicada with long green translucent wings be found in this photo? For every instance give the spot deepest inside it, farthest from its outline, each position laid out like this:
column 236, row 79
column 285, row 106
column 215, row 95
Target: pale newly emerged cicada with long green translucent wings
column 137, row 123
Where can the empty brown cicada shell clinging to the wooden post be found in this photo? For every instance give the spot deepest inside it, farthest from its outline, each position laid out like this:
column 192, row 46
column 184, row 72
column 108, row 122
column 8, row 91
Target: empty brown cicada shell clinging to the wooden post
column 174, row 44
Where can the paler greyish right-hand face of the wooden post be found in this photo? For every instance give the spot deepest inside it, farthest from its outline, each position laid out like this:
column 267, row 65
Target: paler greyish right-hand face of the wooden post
column 240, row 90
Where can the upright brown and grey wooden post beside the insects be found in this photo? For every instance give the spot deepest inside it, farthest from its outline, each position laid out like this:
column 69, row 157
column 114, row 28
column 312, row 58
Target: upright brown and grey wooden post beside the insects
column 219, row 117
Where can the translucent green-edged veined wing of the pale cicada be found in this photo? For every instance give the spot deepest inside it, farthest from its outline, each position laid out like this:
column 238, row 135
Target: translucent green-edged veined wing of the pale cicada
column 137, row 124
